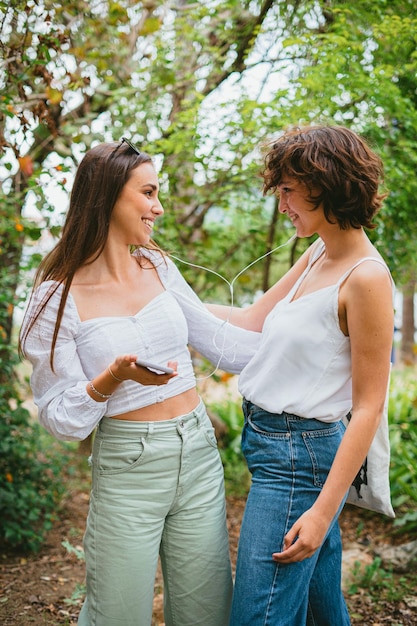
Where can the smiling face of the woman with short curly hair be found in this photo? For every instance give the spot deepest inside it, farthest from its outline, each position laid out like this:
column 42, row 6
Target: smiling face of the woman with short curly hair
column 295, row 199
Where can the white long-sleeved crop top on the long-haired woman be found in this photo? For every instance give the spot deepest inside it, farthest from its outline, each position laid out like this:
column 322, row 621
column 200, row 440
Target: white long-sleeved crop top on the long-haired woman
column 159, row 332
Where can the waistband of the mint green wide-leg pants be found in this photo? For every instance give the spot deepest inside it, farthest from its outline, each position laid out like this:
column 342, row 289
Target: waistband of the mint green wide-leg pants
column 129, row 428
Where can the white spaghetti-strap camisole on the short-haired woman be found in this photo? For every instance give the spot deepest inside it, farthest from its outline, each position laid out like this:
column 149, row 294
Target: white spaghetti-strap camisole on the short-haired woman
column 303, row 365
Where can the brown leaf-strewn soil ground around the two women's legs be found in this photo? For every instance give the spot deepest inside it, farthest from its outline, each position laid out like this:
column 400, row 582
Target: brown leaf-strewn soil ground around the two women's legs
column 41, row 589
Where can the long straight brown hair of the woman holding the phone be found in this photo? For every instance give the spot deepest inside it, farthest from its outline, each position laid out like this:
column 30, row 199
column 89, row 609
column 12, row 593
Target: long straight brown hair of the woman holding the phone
column 99, row 180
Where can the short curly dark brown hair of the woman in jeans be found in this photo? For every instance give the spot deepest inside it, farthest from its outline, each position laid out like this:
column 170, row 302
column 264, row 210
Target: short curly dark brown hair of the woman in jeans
column 335, row 161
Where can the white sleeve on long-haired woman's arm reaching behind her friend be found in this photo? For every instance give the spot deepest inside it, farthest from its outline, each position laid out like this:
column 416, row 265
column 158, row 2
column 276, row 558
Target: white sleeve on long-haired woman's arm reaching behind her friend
column 227, row 346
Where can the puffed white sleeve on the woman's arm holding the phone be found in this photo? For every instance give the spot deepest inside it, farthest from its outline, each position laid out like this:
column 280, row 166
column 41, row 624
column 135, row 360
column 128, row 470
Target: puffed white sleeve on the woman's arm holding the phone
column 65, row 408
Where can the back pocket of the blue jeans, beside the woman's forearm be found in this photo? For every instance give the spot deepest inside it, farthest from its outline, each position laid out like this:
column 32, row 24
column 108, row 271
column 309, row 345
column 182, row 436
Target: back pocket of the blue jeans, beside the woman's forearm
column 322, row 446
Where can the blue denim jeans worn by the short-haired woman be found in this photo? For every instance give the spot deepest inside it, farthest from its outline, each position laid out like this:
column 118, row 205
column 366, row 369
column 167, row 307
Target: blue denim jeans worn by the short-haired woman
column 289, row 458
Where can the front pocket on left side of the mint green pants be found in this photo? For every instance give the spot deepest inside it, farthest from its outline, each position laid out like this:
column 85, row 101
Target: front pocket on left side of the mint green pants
column 115, row 458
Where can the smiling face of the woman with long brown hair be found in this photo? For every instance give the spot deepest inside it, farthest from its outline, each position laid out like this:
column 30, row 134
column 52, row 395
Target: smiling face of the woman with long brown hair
column 137, row 207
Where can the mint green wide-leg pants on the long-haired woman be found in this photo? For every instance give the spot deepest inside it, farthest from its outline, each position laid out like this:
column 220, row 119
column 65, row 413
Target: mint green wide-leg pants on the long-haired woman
column 157, row 490
